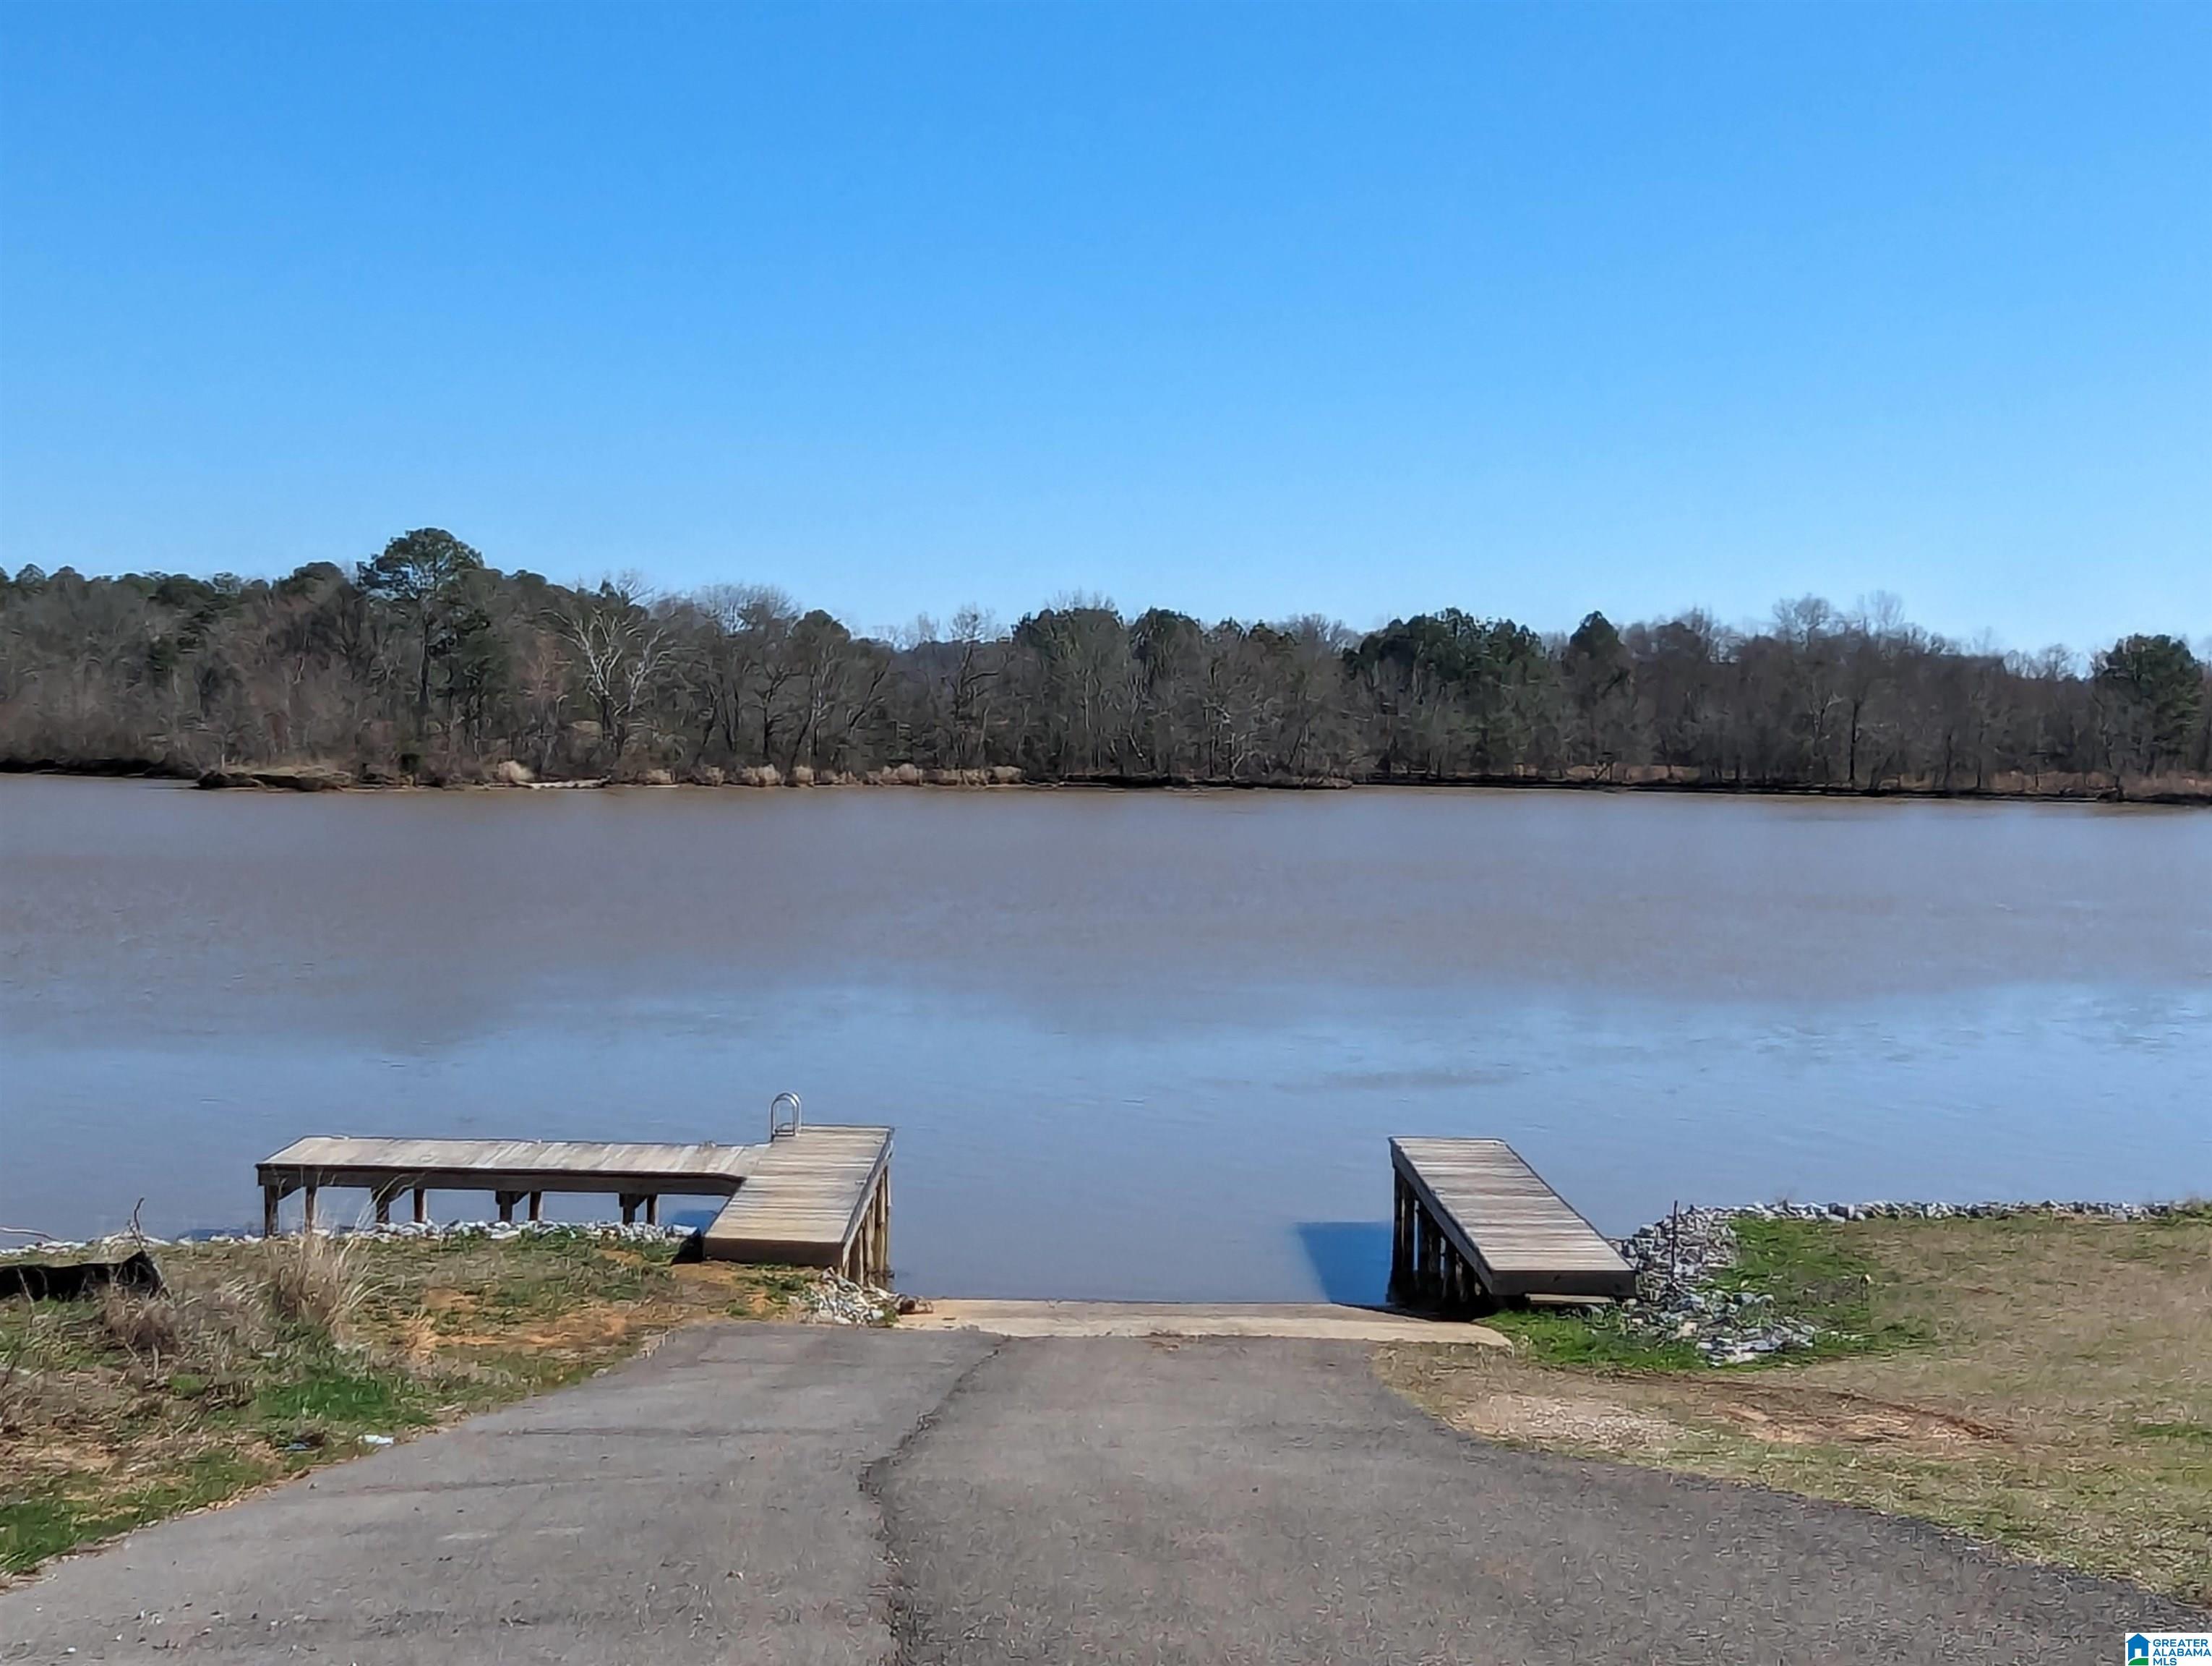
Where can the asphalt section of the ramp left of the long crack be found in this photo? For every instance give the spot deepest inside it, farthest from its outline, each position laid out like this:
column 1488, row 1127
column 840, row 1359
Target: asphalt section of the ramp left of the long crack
column 702, row 1506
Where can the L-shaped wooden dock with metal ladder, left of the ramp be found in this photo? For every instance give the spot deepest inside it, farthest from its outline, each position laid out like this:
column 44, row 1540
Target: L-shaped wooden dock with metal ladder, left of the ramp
column 815, row 1198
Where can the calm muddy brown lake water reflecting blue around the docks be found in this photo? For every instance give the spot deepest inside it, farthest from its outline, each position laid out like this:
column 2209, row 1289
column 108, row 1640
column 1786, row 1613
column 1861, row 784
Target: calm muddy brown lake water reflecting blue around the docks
column 1136, row 1045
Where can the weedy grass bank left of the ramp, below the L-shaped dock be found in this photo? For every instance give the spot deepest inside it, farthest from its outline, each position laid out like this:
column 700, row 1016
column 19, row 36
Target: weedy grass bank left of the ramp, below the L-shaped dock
column 264, row 1362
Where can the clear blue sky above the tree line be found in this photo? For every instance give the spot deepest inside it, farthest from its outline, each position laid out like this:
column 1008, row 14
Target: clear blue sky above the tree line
column 1242, row 311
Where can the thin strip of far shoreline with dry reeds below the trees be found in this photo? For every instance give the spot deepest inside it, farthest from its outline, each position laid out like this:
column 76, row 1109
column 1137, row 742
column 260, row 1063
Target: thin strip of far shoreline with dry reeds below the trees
column 2182, row 791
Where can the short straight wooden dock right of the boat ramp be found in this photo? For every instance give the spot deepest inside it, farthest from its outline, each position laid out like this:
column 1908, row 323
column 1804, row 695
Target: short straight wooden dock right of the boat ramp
column 1479, row 1227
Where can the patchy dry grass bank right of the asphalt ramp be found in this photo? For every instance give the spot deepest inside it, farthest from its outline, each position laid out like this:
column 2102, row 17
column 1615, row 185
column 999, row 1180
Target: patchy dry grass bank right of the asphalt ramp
column 2043, row 1384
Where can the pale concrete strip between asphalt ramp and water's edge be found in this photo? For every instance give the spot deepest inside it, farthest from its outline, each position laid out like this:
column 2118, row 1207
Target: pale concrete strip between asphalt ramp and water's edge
column 1311, row 1320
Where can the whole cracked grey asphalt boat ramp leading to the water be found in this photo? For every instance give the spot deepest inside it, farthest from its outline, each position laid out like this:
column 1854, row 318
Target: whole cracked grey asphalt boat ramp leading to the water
column 793, row 1495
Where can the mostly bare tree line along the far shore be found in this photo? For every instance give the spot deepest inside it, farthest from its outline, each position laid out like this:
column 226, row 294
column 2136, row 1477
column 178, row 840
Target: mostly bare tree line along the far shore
column 430, row 665
